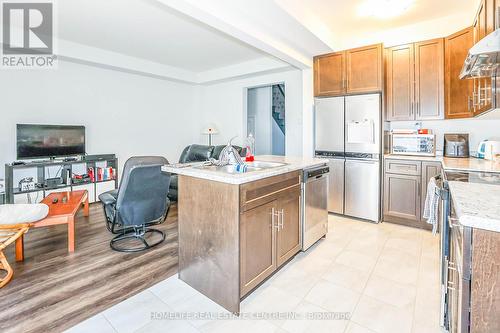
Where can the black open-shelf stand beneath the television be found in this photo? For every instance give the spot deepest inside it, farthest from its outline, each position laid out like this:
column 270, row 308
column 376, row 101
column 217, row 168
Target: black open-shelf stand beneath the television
column 40, row 170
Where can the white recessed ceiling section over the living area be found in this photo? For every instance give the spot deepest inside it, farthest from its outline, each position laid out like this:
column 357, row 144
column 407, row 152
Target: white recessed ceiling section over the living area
column 148, row 30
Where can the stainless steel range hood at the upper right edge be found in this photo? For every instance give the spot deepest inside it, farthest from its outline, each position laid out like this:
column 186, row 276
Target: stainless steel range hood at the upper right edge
column 484, row 58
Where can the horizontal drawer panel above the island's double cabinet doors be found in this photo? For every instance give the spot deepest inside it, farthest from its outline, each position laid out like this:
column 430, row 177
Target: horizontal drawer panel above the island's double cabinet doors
column 265, row 190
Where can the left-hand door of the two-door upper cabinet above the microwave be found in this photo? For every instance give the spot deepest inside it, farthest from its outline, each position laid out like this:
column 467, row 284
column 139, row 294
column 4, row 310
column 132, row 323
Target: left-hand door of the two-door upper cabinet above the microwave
column 399, row 82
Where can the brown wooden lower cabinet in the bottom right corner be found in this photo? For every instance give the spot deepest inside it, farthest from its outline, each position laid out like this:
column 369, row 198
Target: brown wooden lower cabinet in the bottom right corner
column 473, row 280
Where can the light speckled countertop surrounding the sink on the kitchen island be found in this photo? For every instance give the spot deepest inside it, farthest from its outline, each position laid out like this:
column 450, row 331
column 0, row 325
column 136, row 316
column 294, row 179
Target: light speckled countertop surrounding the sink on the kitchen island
column 292, row 164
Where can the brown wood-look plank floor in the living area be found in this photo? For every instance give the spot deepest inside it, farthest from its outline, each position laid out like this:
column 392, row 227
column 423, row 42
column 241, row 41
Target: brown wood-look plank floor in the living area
column 52, row 290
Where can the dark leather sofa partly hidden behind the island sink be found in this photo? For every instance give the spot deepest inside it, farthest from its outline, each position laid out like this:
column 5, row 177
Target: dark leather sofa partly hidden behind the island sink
column 197, row 153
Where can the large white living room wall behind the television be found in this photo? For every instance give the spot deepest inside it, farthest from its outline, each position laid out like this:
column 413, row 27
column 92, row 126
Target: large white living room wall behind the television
column 123, row 113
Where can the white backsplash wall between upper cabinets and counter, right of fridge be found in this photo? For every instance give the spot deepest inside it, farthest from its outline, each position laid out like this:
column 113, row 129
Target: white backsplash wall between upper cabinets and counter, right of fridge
column 478, row 129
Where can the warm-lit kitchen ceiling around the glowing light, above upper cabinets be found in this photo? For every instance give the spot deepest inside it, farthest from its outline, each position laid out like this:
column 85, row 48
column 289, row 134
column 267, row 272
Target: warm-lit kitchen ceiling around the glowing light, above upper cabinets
column 334, row 20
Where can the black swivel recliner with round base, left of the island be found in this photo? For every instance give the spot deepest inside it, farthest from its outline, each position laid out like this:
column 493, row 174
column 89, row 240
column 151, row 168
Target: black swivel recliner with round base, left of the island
column 140, row 202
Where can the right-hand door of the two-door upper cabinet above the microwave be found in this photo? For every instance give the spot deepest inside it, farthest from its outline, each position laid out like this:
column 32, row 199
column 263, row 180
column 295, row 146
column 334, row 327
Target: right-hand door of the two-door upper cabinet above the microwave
column 429, row 84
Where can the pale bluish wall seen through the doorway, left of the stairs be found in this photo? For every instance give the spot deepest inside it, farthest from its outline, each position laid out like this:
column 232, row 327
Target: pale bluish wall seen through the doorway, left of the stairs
column 259, row 107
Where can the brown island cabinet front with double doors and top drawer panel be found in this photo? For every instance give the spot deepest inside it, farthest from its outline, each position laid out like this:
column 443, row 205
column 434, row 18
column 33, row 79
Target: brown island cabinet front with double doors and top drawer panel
column 270, row 231
